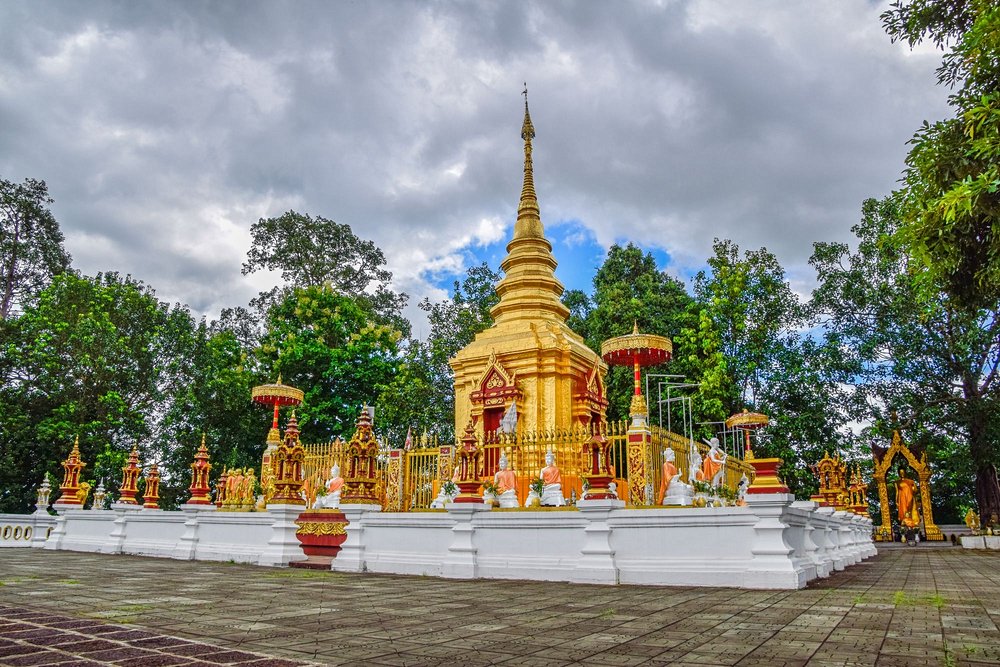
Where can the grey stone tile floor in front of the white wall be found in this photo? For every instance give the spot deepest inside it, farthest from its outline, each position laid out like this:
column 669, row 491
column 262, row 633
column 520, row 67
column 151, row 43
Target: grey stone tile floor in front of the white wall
column 907, row 606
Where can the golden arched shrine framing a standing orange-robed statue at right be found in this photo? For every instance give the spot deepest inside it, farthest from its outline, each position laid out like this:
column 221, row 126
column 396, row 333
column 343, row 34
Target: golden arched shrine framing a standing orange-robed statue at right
column 907, row 509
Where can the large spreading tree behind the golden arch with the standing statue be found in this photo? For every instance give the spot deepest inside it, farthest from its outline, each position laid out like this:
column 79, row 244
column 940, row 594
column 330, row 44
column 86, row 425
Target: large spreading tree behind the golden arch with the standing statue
column 926, row 356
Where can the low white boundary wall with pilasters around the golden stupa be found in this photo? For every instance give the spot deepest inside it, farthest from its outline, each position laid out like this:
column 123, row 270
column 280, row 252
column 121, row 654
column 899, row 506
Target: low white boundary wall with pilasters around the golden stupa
column 773, row 542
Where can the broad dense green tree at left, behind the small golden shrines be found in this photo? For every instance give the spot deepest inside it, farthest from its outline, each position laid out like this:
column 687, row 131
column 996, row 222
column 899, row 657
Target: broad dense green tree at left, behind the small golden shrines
column 86, row 358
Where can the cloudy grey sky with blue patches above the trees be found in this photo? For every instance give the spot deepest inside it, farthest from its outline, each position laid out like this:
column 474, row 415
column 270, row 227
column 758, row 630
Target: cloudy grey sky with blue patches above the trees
column 165, row 129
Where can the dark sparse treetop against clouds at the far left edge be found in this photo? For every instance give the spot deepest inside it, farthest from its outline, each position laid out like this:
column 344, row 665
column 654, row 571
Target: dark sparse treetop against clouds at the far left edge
column 31, row 244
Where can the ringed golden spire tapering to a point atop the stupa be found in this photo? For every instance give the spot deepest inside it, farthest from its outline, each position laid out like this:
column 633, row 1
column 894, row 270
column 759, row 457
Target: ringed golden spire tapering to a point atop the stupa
column 529, row 290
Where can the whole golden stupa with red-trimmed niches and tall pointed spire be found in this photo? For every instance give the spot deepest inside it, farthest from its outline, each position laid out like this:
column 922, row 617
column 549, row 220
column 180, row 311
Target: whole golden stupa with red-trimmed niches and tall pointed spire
column 529, row 357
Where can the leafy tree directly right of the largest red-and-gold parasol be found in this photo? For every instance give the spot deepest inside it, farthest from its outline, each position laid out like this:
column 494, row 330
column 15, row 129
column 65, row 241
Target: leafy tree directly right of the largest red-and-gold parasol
column 753, row 357
